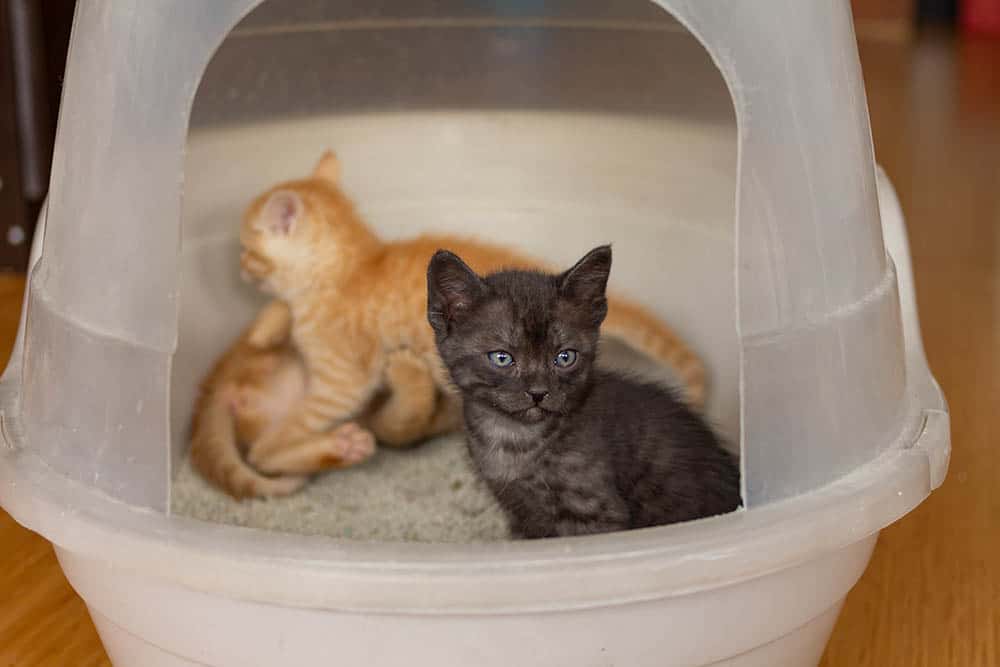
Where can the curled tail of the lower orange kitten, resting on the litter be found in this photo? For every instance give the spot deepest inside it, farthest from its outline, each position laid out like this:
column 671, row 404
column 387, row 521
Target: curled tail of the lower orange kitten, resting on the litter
column 215, row 454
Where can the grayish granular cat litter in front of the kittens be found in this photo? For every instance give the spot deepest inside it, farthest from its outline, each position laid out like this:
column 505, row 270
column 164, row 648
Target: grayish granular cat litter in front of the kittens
column 425, row 494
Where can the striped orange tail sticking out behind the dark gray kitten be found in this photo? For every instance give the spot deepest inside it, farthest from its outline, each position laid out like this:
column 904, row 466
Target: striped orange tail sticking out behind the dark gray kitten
column 640, row 329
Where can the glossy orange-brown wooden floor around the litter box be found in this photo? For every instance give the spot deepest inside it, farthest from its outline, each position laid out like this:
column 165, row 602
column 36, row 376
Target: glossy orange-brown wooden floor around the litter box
column 931, row 597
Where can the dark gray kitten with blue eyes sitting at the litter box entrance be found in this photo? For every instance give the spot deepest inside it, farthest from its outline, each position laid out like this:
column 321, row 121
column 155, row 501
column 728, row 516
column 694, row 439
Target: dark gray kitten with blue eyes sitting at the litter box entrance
column 567, row 448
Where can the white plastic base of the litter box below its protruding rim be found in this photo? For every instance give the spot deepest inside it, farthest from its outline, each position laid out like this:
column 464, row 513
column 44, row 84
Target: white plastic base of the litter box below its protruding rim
column 783, row 618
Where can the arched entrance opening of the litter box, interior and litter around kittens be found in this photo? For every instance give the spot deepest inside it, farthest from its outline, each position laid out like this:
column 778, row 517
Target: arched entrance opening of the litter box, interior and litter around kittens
column 551, row 128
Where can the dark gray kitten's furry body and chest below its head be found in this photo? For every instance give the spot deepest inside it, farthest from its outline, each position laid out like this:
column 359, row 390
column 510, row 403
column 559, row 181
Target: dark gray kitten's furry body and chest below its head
column 629, row 456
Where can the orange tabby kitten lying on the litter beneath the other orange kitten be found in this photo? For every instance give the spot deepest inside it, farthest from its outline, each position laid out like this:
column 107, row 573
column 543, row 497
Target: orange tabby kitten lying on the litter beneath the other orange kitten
column 254, row 386
